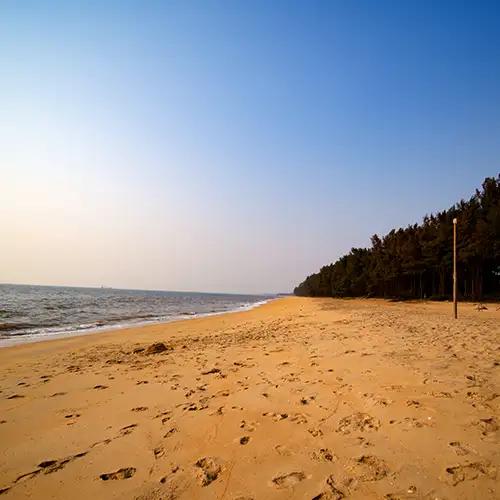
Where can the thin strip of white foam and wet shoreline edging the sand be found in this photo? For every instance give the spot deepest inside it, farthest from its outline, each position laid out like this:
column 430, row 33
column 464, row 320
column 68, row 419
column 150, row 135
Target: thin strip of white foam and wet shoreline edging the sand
column 30, row 338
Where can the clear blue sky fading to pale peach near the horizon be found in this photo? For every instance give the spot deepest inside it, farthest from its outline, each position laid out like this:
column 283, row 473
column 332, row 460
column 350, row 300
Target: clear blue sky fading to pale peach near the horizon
column 234, row 146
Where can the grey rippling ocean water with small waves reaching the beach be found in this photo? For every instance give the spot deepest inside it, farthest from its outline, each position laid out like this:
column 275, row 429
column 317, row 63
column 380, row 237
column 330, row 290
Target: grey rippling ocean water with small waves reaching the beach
column 29, row 313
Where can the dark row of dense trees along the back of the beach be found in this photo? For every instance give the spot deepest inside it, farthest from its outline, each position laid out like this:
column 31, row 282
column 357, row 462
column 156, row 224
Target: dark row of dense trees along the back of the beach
column 416, row 262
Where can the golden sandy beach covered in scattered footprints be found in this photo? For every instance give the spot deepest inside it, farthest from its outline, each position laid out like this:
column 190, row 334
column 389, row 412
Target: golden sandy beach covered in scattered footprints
column 300, row 398
